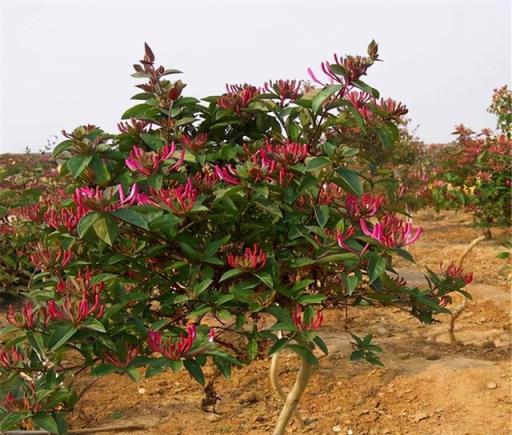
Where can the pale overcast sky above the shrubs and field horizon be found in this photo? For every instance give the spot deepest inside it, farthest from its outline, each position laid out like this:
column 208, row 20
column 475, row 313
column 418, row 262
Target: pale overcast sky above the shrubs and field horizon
column 66, row 63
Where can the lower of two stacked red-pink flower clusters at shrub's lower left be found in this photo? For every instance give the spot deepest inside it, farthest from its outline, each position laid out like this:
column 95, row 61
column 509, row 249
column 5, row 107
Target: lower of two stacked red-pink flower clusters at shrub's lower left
column 75, row 311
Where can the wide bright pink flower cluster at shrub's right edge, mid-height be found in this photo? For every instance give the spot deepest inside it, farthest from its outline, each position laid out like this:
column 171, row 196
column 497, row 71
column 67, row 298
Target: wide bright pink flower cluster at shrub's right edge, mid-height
column 392, row 232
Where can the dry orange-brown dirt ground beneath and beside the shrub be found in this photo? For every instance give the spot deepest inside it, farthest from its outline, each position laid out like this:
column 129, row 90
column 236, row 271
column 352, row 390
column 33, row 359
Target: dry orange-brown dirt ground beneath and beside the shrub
column 426, row 387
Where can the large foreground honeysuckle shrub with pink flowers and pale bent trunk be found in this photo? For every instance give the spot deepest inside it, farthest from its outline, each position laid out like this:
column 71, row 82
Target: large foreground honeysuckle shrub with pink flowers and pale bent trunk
column 240, row 213
